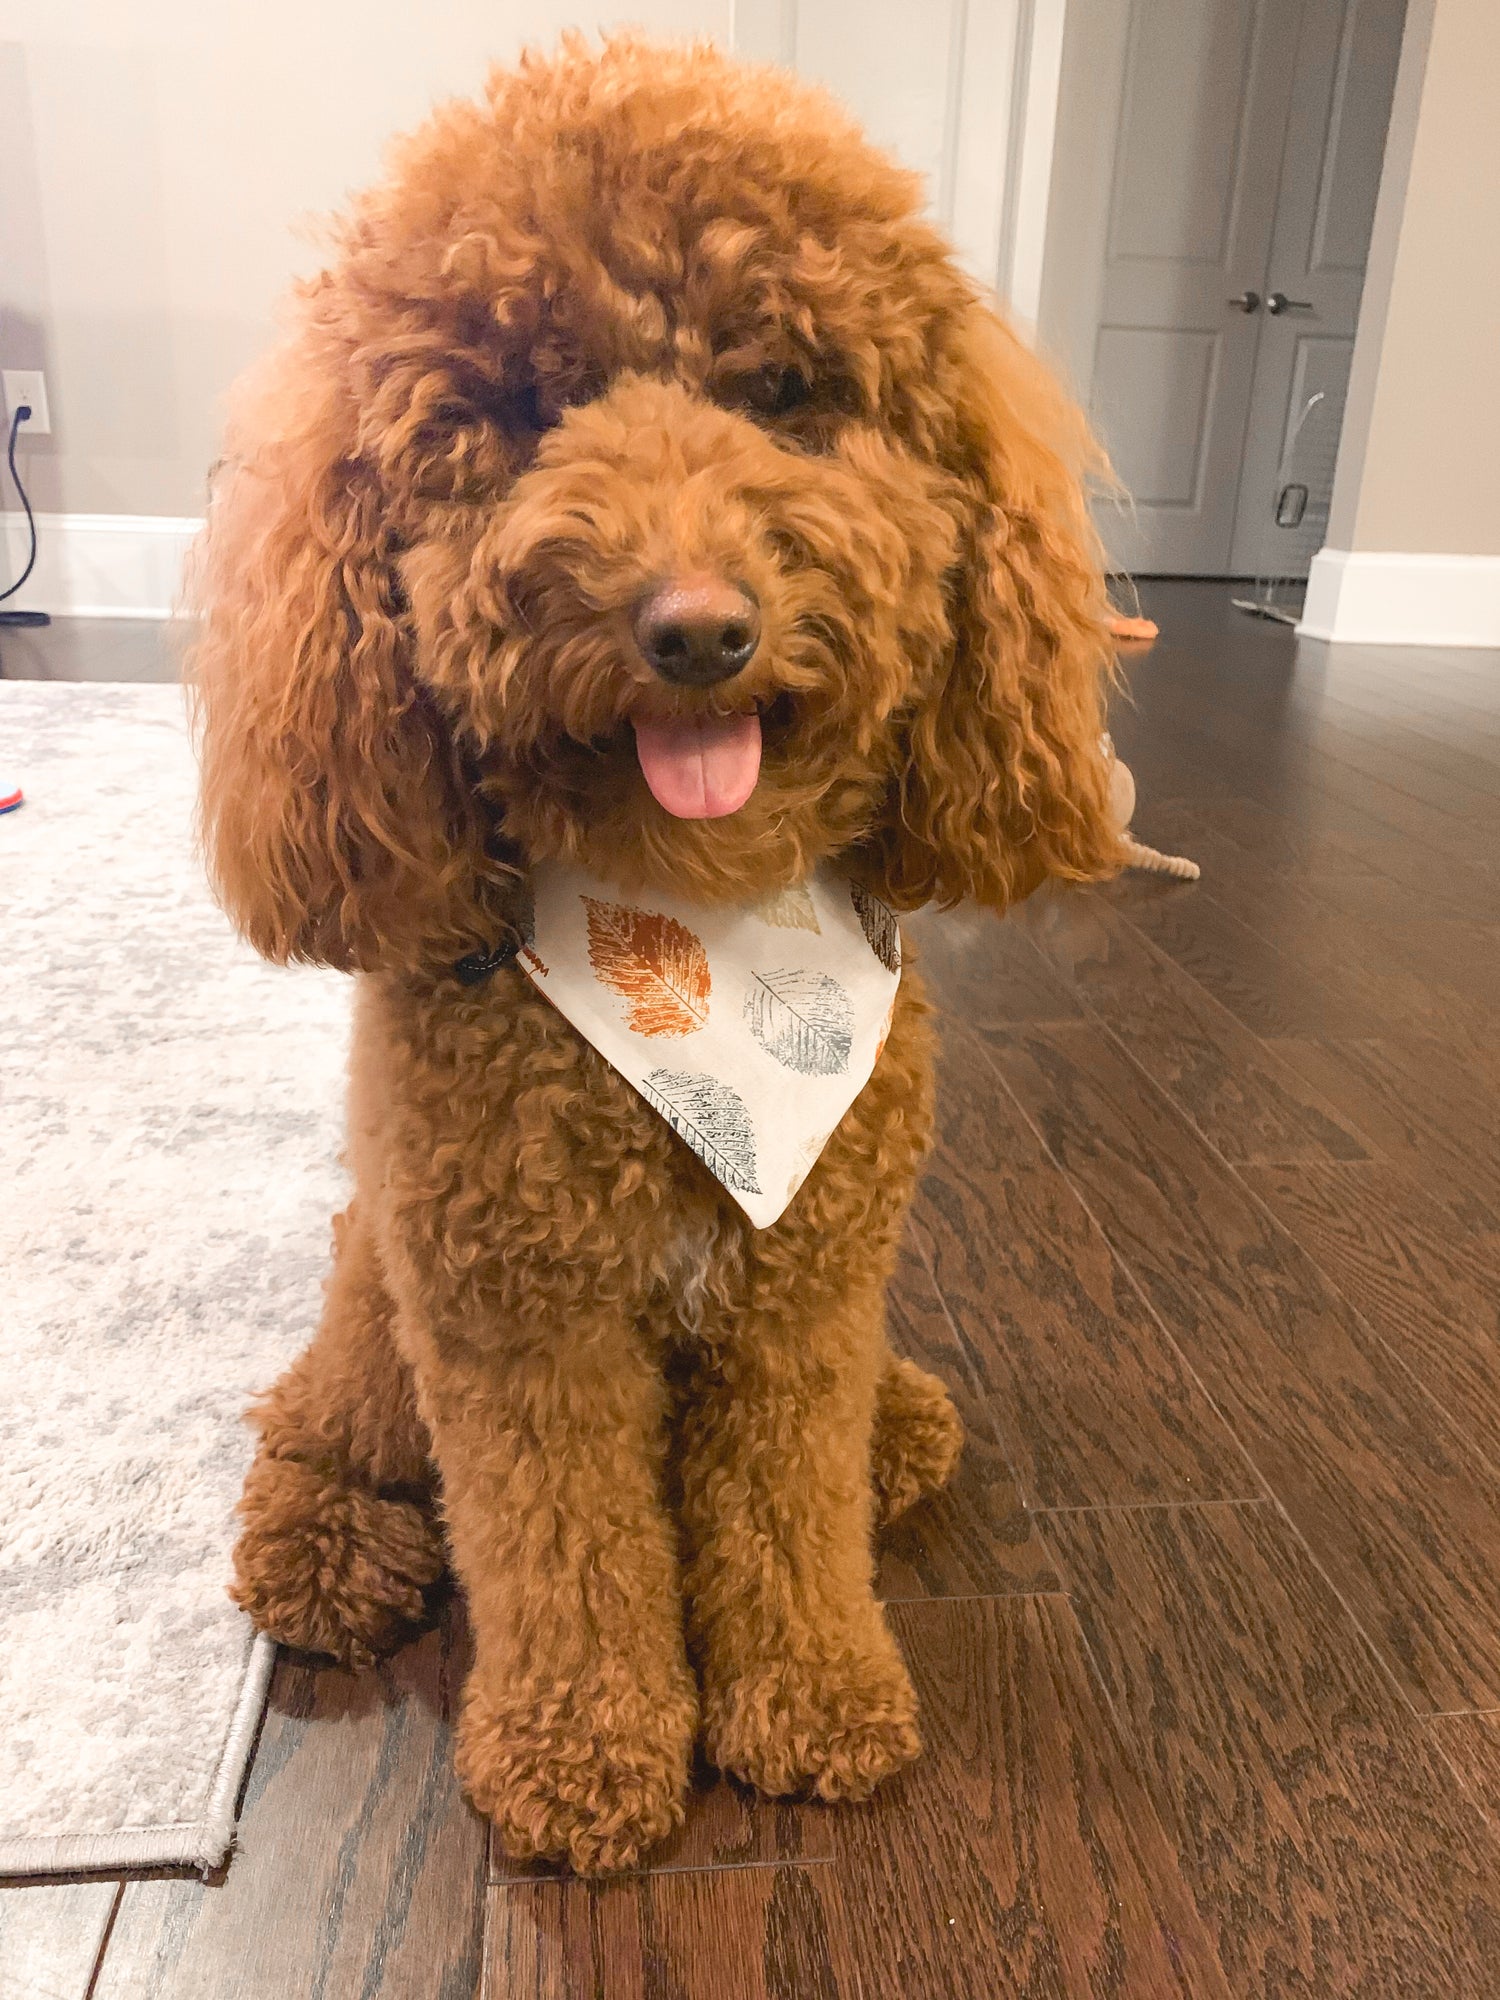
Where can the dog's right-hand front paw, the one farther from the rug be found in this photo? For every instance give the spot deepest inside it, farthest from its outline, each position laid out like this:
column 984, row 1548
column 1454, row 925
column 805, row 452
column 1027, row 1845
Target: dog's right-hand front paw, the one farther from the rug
column 833, row 1727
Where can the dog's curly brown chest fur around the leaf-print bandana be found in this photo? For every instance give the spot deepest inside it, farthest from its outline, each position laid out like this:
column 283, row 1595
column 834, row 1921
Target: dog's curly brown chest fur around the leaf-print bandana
column 523, row 1157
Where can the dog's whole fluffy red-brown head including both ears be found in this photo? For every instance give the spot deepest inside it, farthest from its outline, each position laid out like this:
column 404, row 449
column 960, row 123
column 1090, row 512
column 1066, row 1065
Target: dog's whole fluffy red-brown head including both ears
column 643, row 485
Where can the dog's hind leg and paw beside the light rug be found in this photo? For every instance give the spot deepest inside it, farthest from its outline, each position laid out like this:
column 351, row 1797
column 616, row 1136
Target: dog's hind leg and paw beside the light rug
column 341, row 1537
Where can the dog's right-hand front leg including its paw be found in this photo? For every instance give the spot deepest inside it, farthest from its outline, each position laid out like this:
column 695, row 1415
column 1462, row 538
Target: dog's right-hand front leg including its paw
column 803, row 1685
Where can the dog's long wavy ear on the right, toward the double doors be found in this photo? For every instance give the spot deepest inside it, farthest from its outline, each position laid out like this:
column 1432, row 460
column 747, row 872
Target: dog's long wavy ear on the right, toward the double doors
column 1003, row 781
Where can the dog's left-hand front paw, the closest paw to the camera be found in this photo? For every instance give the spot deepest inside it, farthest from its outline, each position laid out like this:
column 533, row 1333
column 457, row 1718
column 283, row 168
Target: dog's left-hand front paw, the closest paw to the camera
column 591, row 1783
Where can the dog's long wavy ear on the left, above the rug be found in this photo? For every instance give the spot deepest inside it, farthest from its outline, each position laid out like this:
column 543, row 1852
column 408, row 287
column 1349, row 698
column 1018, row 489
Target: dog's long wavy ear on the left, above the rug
column 335, row 817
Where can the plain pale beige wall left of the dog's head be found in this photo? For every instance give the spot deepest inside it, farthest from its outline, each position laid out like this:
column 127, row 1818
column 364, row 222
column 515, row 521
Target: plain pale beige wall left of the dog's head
column 163, row 165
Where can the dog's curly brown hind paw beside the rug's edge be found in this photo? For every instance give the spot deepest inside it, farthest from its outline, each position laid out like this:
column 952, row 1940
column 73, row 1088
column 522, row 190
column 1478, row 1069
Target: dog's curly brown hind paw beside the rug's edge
column 331, row 1567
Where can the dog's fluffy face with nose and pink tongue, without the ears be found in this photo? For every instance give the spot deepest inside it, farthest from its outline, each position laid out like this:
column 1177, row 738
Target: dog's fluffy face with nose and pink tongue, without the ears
column 681, row 641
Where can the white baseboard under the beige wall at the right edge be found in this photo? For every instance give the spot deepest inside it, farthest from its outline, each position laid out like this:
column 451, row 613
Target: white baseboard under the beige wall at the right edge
column 1373, row 599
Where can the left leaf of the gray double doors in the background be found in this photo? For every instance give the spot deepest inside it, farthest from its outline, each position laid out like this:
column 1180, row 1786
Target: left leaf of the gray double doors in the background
column 1205, row 103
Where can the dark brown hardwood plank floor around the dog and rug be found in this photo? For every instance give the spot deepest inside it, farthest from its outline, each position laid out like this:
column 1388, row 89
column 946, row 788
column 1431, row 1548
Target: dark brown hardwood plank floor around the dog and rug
column 1209, row 1627
